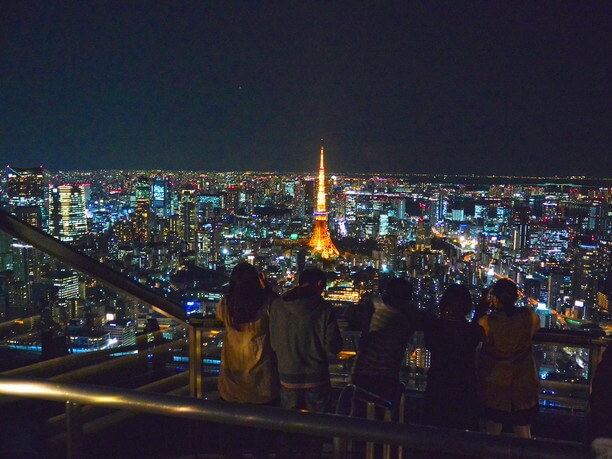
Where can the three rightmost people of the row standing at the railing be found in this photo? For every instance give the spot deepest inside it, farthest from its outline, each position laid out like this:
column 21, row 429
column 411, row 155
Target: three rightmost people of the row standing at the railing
column 482, row 371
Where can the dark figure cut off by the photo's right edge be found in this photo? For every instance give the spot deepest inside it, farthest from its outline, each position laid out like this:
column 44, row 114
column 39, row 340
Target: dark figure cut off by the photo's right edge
column 600, row 422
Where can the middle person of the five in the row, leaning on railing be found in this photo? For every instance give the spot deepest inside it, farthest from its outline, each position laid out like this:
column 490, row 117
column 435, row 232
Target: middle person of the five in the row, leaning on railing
column 384, row 341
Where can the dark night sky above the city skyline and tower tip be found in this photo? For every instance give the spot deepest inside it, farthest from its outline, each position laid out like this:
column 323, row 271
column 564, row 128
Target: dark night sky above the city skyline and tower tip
column 492, row 87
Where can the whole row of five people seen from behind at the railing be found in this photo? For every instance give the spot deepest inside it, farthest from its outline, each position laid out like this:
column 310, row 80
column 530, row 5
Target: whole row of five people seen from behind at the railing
column 277, row 349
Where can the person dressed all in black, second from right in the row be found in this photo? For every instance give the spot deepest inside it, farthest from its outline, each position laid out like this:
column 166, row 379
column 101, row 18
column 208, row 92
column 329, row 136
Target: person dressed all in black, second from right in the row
column 450, row 397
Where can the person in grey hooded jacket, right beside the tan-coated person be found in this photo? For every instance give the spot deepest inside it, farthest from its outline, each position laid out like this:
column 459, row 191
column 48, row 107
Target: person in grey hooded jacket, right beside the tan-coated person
column 304, row 335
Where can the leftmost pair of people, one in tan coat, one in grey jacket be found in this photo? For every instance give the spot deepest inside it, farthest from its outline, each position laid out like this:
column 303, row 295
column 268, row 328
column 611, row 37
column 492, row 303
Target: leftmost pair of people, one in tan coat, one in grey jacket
column 276, row 350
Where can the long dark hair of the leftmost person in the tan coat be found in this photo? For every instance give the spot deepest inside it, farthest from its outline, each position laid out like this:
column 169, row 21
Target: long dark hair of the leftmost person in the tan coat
column 246, row 295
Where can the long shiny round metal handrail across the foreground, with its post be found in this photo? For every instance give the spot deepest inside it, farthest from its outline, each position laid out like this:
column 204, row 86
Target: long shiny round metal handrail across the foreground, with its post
column 415, row 437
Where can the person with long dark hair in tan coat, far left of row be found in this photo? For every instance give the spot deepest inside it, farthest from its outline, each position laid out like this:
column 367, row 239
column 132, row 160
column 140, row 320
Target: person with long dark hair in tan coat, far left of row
column 248, row 372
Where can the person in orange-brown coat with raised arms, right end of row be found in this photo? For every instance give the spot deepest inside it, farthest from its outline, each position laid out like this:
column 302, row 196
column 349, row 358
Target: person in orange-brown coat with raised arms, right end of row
column 508, row 381
